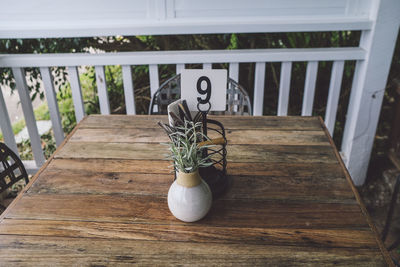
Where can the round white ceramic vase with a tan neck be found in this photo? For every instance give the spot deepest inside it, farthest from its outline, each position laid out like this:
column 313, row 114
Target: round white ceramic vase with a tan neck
column 189, row 197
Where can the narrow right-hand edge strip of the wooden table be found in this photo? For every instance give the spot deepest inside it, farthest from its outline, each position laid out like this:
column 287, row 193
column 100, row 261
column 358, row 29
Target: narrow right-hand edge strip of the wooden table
column 382, row 247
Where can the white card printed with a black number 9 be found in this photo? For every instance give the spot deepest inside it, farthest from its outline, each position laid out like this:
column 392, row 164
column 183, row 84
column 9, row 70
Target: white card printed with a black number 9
column 204, row 86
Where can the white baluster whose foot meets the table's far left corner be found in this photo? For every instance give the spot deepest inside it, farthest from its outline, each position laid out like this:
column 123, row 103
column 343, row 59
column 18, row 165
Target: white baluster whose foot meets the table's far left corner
column 73, row 75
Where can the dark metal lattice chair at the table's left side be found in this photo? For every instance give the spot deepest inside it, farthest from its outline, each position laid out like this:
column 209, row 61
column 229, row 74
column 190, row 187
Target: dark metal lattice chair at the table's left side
column 12, row 170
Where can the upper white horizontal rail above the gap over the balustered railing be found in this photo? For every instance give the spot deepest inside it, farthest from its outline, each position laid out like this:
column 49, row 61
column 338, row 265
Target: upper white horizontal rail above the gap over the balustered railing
column 20, row 29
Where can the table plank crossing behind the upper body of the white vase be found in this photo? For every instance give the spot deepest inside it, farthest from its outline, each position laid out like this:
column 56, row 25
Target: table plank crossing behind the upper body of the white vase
column 328, row 189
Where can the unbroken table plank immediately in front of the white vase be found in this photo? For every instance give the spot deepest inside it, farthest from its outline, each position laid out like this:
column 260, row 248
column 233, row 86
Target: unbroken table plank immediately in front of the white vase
column 328, row 238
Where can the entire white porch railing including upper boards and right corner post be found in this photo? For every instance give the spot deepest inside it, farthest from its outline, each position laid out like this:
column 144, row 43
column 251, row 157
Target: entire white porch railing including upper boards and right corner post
column 377, row 20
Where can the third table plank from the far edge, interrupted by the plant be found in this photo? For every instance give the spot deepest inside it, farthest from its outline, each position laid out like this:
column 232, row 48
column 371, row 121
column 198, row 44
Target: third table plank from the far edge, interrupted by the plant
column 236, row 153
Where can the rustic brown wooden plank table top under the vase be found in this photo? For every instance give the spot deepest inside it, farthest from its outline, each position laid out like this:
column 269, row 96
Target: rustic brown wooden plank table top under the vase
column 101, row 200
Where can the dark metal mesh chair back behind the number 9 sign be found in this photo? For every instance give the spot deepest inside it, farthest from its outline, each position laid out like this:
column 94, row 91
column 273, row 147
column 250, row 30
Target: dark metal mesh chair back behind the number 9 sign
column 237, row 99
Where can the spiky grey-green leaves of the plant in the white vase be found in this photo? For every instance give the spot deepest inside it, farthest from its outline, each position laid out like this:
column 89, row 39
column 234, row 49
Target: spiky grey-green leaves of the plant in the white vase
column 185, row 152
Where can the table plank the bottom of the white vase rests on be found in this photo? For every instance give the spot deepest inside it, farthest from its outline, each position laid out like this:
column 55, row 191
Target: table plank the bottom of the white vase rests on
column 154, row 210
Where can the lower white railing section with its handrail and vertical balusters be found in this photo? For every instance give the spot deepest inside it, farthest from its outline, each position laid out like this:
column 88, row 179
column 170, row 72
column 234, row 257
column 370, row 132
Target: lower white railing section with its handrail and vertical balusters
column 179, row 58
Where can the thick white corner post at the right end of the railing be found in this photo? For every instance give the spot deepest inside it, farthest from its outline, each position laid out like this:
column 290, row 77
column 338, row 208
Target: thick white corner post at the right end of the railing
column 369, row 86
